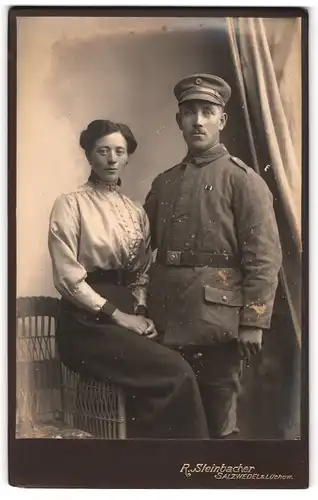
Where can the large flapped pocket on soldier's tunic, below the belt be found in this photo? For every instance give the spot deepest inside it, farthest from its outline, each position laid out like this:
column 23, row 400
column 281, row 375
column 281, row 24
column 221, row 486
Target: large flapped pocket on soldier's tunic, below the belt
column 221, row 309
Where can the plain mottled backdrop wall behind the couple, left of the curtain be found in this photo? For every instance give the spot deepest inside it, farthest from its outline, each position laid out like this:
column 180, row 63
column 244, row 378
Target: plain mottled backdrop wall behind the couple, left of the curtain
column 74, row 70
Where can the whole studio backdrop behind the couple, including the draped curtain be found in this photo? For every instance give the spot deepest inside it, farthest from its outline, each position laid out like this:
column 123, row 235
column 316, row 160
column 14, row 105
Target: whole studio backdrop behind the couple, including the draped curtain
column 74, row 70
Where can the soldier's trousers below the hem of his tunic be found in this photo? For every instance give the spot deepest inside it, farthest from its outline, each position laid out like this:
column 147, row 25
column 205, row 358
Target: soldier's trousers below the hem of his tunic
column 218, row 370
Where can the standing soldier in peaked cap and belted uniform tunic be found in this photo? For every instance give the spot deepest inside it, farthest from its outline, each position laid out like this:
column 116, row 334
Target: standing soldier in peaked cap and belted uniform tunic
column 218, row 253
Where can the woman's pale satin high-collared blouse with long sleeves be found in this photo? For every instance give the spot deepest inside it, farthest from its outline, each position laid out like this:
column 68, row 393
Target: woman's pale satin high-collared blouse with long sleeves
column 98, row 228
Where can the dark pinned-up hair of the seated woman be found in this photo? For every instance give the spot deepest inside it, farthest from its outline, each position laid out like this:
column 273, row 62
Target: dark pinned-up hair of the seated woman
column 99, row 128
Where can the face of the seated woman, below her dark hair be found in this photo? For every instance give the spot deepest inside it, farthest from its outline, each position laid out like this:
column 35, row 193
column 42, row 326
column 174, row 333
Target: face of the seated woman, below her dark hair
column 109, row 156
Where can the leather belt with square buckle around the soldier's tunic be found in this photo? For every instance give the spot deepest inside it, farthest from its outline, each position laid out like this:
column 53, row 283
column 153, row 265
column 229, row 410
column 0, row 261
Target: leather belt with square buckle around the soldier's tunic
column 196, row 259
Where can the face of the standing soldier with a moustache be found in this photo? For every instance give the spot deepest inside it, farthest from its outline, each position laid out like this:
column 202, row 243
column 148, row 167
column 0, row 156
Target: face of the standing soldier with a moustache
column 201, row 122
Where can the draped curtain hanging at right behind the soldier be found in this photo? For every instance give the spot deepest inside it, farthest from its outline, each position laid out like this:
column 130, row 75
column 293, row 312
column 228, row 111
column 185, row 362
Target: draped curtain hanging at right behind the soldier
column 267, row 59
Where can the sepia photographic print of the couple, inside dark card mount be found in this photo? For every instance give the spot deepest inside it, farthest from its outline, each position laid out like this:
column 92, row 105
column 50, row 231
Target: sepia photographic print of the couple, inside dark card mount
column 159, row 227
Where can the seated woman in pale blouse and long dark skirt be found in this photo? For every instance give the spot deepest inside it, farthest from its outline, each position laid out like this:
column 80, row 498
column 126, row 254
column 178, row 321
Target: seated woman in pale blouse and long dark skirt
column 99, row 244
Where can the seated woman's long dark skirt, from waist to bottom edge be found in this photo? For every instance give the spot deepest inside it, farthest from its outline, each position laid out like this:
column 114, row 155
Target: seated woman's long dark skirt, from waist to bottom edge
column 157, row 380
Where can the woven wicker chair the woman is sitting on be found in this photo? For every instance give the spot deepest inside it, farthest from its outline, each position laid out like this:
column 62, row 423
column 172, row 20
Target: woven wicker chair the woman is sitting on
column 48, row 393
